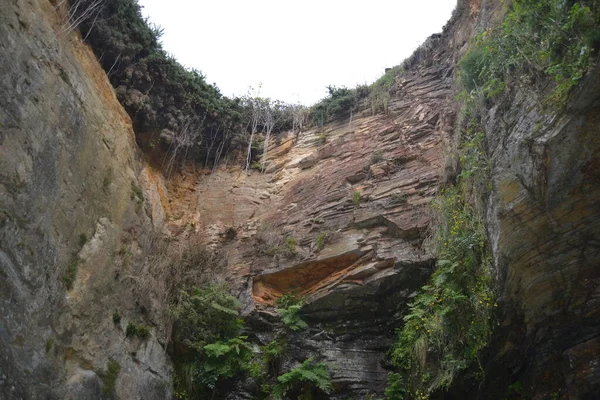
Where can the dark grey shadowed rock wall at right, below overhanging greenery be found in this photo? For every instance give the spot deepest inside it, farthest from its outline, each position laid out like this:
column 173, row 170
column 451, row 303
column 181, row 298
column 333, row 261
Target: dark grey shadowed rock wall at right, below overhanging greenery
column 544, row 222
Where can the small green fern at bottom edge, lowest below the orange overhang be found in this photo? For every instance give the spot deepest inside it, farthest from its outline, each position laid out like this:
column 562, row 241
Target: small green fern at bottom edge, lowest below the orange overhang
column 305, row 379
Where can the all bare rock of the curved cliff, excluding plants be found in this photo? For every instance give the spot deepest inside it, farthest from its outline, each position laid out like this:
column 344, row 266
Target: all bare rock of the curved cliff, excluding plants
column 341, row 216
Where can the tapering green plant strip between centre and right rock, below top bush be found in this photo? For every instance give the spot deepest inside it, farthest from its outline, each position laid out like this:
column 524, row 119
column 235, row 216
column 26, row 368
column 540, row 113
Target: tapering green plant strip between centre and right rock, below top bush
column 451, row 319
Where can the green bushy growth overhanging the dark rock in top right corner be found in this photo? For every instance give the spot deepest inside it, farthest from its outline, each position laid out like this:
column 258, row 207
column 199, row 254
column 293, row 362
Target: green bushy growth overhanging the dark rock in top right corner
column 553, row 39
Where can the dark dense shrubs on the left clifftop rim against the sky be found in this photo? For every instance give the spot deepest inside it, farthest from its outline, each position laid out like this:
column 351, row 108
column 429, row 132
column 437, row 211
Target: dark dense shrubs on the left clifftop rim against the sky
column 159, row 94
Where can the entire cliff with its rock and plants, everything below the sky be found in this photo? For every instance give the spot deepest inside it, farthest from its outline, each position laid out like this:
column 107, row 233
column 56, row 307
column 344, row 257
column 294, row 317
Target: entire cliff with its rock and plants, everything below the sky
column 431, row 235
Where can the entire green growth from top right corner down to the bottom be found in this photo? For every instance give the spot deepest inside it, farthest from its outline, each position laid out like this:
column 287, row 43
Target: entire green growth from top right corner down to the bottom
column 451, row 319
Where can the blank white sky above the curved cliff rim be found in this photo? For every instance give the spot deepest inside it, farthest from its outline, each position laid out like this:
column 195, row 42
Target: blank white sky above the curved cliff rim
column 295, row 49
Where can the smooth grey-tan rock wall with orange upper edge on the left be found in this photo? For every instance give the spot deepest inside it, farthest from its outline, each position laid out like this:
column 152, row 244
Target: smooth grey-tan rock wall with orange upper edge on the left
column 70, row 192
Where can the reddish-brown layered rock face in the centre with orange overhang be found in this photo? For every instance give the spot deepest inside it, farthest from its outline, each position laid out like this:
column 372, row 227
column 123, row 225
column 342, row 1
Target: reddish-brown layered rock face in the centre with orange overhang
column 354, row 197
